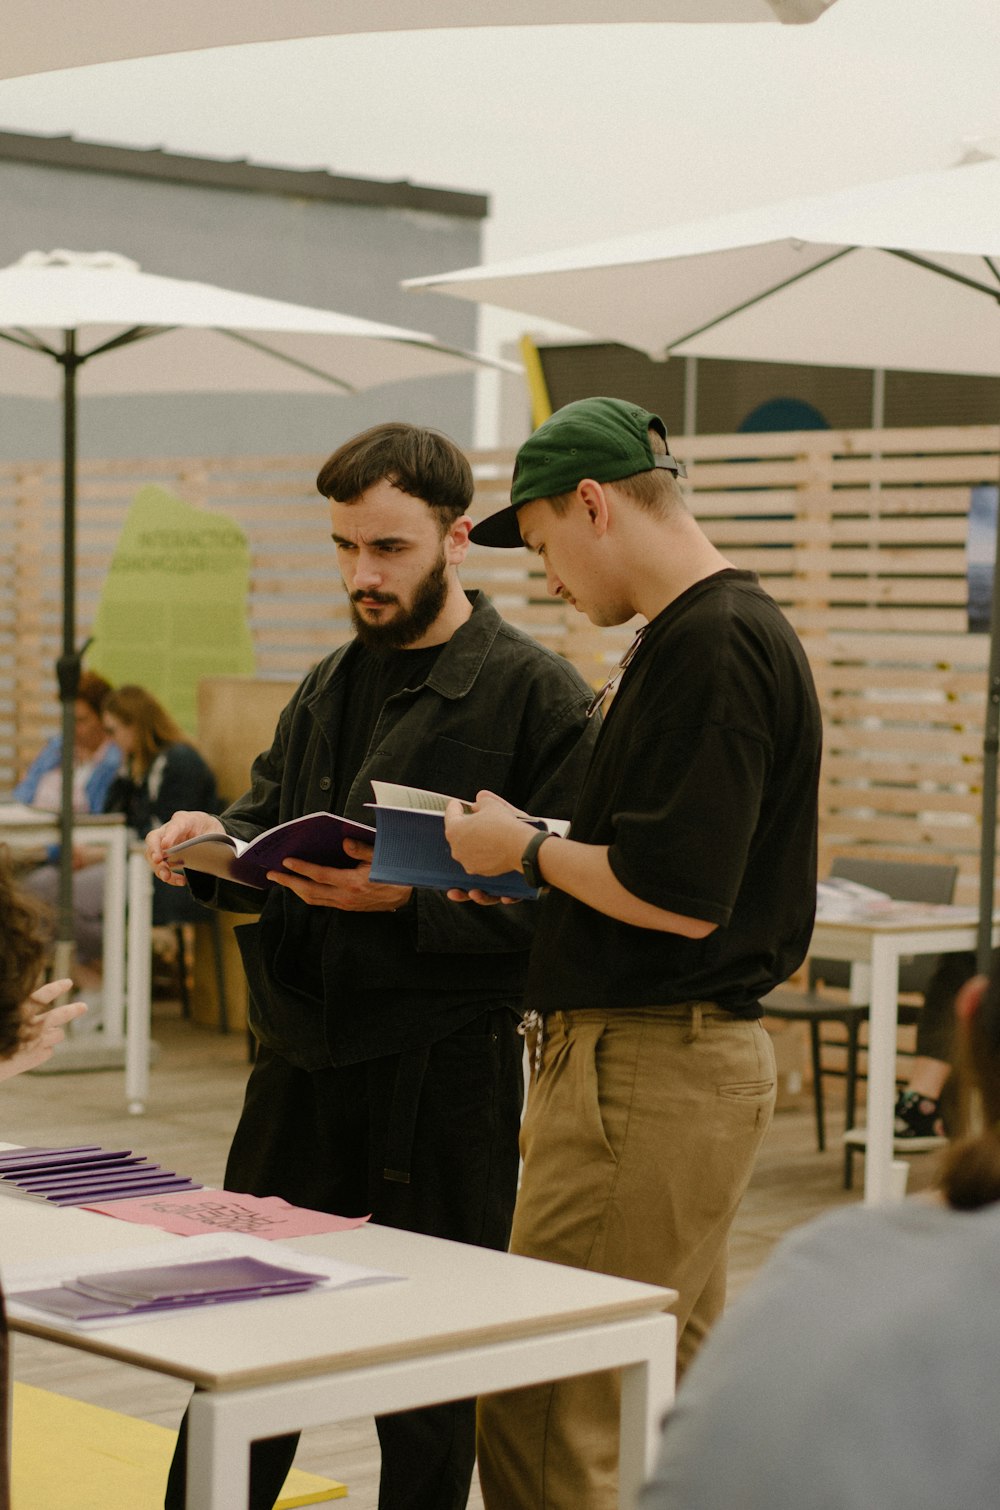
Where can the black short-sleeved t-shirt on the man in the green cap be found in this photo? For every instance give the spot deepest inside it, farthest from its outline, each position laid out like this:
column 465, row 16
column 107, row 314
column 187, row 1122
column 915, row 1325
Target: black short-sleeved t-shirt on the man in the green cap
column 705, row 787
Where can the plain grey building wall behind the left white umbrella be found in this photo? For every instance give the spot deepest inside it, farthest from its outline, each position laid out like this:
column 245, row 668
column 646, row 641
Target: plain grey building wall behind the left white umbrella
column 309, row 251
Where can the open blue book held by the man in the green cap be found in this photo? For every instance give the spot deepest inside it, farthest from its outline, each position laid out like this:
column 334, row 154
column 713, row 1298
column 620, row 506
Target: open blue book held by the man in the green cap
column 412, row 849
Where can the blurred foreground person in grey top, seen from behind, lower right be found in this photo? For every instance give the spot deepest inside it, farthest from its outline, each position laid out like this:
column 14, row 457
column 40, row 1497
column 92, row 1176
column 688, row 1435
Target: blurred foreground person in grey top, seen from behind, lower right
column 860, row 1367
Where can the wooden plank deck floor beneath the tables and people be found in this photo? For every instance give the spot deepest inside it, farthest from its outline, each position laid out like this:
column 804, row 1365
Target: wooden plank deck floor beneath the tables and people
column 196, row 1099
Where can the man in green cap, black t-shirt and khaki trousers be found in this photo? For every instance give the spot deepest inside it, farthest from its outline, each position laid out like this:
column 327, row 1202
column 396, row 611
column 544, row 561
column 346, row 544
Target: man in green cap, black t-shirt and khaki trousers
column 684, row 895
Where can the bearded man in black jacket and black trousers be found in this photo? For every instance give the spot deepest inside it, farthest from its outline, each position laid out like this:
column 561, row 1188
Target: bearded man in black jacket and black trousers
column 389, row 1067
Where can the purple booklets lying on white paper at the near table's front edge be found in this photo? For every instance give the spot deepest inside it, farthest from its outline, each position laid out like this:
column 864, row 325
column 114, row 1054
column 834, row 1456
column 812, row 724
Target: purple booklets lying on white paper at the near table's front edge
column 168, row 1287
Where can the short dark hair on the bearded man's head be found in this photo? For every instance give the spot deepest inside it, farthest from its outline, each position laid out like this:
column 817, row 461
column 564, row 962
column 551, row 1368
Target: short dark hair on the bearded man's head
column 422, row 463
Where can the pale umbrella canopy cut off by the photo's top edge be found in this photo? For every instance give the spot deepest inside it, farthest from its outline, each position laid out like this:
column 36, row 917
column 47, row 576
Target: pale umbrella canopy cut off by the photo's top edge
column 40, row 35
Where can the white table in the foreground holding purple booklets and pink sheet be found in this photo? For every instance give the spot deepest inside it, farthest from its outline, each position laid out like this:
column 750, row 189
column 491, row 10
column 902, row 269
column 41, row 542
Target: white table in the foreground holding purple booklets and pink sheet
column 463, row 1322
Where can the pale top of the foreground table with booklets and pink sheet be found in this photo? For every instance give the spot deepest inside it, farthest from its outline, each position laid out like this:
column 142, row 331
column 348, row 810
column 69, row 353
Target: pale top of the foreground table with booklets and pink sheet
column 454, row 1296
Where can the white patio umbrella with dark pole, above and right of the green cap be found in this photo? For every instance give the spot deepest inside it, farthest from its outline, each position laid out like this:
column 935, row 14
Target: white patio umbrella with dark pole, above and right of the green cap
column 903, row 276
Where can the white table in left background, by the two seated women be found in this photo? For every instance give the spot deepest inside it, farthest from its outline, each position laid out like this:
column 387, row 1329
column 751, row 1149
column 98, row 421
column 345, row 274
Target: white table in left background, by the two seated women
column 128, row 948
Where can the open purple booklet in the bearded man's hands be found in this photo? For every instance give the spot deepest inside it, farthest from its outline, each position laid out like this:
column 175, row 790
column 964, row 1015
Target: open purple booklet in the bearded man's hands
column 318, row 837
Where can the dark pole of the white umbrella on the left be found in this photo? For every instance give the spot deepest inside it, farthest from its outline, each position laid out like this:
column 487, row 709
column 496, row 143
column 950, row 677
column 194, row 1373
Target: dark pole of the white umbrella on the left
column 69, row 664
